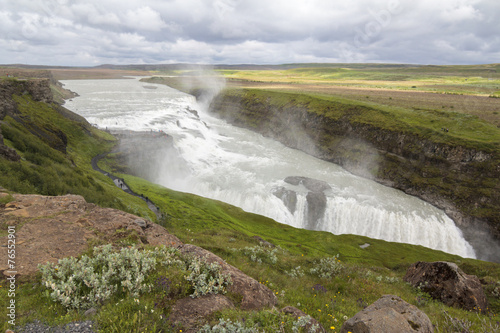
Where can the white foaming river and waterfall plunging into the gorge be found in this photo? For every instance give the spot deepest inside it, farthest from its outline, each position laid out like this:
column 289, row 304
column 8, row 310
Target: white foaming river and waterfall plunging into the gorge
column 242, row 168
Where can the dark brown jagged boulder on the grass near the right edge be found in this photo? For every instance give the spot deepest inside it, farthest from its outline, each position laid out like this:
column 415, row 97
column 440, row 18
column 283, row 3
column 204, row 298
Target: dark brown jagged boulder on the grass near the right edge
column 447, row 283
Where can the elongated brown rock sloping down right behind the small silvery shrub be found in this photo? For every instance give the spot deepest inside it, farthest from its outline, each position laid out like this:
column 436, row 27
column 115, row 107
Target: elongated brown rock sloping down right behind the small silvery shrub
column 254, row 294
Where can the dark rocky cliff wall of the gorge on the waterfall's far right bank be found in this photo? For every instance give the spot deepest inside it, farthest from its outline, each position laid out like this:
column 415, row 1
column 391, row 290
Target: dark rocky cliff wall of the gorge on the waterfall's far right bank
column 459, row 178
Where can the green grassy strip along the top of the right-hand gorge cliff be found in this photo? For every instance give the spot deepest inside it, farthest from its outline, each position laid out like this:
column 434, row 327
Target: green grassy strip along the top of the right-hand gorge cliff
column 463, row 129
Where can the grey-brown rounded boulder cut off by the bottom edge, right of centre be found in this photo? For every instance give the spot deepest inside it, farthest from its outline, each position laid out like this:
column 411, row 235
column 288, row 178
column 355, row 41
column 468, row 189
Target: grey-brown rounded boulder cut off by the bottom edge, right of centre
column 389, row 314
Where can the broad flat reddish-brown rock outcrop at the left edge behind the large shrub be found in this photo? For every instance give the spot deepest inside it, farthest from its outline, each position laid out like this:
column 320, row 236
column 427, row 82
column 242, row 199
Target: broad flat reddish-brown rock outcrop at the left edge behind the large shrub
column 51, row 228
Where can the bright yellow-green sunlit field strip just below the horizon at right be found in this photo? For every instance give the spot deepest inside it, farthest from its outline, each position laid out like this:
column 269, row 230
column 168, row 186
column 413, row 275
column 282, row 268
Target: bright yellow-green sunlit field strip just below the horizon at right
column 471, row 80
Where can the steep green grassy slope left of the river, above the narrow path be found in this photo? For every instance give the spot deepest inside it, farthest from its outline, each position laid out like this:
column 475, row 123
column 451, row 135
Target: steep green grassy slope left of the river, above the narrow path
column 49, row 171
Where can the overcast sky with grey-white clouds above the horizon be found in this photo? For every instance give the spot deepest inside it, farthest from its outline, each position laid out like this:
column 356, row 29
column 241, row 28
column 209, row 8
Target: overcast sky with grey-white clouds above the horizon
column 94, row 32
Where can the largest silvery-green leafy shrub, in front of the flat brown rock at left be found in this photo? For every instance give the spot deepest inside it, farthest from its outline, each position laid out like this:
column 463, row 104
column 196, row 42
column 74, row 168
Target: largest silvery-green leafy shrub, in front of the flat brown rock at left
column 83, row 283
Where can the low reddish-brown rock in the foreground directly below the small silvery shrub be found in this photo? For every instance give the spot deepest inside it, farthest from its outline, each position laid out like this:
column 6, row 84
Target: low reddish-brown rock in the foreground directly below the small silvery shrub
column 190, row 313
